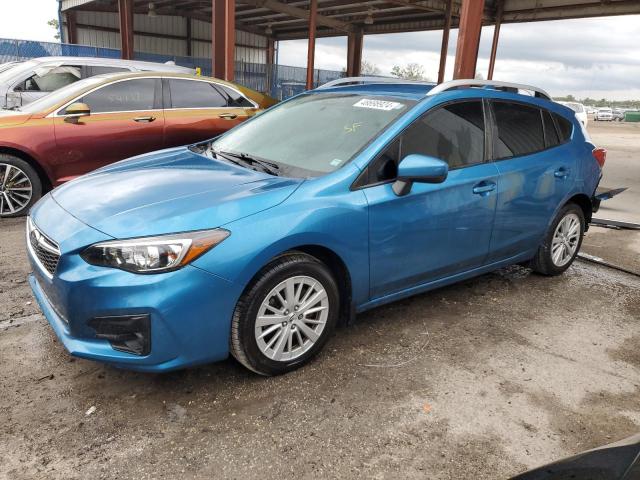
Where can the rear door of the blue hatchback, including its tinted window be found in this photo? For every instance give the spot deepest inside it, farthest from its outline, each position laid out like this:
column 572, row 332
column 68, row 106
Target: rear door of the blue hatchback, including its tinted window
column 536, row 175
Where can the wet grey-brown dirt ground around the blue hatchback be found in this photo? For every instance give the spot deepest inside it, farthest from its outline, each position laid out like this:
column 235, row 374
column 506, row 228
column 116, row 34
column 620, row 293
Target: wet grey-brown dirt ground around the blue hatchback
column 479, row 380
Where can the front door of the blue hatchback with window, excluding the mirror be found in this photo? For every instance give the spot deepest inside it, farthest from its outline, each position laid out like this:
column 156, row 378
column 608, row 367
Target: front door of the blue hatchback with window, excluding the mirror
column 436, row 230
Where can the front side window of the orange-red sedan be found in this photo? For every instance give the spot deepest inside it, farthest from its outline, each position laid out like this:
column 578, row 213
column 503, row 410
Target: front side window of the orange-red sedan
column 126, row 96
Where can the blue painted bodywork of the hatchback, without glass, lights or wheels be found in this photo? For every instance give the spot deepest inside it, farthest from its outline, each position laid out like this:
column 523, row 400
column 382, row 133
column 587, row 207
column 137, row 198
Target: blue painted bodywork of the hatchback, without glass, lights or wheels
column 378, row 236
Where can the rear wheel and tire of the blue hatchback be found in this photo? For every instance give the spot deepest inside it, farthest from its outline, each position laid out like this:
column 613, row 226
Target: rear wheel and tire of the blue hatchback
column 566, row 245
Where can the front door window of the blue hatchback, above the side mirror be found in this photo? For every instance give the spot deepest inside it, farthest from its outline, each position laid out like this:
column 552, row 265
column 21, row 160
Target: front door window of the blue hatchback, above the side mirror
column 453, row 133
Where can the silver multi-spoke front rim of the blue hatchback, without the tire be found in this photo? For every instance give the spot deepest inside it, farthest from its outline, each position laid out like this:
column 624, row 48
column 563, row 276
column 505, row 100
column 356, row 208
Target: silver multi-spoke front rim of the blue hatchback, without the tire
column 292, row 318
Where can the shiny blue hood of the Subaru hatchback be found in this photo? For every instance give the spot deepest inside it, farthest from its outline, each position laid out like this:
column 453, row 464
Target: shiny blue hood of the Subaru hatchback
column 169, row 191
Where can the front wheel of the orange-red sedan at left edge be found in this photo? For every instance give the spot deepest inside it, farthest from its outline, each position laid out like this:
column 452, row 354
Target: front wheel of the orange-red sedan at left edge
column 20, row 186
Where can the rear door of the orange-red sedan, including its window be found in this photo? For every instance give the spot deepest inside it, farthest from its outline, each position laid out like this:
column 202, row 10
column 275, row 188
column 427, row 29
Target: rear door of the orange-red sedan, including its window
column 197, row 110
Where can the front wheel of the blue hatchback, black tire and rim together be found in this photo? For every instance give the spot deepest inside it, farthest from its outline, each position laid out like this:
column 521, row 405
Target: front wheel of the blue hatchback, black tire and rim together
column 264, row 347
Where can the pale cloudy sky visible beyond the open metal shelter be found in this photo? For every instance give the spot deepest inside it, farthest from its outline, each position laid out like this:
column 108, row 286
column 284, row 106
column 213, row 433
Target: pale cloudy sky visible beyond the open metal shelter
column 596, row 57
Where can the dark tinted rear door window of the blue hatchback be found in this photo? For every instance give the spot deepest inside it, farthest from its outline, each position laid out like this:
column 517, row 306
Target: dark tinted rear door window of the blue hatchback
column 520, row 130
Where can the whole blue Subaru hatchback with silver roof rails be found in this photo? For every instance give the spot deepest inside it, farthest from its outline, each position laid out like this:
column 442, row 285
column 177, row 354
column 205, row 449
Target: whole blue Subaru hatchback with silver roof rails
column 339, row 200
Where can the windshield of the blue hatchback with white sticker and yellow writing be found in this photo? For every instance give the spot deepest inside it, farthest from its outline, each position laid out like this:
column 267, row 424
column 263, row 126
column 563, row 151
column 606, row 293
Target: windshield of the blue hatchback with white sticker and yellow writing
column 313, row 134
